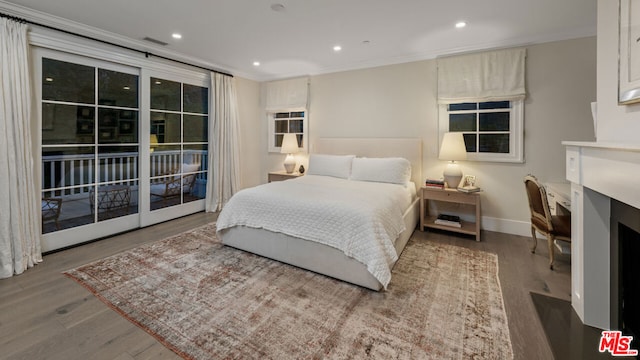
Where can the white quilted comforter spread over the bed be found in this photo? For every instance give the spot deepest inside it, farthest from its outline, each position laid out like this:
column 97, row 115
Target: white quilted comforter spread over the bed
column 360, row 218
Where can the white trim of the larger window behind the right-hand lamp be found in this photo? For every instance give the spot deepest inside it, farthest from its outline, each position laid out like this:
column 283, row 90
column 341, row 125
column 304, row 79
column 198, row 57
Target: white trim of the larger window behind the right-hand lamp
column 516, row 135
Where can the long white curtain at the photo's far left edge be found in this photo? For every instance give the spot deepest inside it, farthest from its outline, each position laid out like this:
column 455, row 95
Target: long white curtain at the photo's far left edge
column 19, row 212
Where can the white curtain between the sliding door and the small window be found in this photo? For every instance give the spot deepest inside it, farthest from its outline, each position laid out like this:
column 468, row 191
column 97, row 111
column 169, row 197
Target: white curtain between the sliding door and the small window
column 224, row 159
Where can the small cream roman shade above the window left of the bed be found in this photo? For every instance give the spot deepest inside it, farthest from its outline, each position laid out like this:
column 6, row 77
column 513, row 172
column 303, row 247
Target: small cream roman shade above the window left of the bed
column 291, row 94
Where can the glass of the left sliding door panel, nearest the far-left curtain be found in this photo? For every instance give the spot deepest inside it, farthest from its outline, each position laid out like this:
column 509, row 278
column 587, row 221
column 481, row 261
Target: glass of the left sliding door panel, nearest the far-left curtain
column 90, row 150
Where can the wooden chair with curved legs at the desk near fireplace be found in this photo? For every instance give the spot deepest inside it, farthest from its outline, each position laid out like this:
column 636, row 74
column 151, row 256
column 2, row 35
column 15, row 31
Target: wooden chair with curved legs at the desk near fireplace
column 552, row 226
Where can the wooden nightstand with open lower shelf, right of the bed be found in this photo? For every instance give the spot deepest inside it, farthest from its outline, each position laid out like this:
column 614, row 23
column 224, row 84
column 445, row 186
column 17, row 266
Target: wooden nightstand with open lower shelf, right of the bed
column 453, row 196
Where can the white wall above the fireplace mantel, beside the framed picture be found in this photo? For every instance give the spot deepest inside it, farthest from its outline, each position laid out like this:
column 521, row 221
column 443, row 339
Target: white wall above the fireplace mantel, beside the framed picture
column 616, row 123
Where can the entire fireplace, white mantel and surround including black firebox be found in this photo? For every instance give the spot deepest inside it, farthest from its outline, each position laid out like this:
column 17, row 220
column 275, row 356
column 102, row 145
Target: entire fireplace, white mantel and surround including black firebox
column 602, row 176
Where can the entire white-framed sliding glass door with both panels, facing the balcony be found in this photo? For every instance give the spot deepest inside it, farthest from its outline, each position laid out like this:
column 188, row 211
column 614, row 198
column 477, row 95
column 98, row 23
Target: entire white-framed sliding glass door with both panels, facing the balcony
column 120, row 148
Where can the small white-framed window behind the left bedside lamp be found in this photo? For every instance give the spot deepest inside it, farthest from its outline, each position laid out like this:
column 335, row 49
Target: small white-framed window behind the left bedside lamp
column 285, row 122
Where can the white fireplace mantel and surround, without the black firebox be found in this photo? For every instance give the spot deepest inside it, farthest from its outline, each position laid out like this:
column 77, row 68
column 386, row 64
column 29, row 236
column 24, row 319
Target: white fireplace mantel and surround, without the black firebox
column 598, row 171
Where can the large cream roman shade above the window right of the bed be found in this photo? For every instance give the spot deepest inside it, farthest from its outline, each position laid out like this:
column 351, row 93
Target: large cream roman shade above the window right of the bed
column 487, row 76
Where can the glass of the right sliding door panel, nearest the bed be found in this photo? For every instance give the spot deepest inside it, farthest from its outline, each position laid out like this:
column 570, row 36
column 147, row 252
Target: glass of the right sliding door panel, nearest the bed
column 179, row 135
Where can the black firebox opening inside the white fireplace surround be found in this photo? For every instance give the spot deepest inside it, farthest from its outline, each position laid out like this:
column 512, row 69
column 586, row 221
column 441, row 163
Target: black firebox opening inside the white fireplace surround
column 625, row 267
